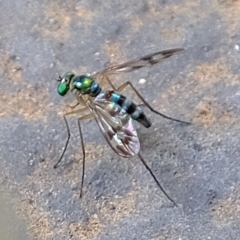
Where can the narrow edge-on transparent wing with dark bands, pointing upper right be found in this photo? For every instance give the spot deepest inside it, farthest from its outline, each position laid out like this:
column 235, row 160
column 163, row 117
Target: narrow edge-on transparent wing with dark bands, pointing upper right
column 135, row 64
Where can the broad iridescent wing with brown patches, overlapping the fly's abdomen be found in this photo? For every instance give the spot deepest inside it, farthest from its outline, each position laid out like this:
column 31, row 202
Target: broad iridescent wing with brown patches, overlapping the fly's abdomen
column 116, row 126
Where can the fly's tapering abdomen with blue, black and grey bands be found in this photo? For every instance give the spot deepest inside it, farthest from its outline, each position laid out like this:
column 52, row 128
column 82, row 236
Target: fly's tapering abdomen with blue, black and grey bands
column 130, row 107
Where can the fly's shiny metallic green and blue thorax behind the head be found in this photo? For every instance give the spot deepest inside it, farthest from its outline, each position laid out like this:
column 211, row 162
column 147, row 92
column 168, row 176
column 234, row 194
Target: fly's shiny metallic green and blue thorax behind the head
column 86, row 85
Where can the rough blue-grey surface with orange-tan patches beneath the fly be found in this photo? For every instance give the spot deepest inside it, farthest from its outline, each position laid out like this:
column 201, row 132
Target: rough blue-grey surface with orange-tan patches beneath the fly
column 198, row 165
